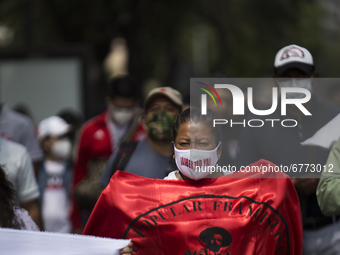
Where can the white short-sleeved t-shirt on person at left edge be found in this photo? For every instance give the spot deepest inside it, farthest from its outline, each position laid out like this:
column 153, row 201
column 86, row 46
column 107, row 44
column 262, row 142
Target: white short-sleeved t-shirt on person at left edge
column 18, row 167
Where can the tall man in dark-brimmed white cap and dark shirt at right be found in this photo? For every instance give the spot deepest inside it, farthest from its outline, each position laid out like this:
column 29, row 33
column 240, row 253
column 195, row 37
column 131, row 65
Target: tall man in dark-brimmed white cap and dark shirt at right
column 288, row 146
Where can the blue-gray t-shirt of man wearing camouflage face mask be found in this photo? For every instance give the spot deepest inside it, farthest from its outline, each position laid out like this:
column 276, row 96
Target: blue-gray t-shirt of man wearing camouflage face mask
column 144, row 161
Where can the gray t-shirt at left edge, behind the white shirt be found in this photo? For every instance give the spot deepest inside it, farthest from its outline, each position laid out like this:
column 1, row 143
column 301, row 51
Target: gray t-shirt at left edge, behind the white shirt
column 19, row 128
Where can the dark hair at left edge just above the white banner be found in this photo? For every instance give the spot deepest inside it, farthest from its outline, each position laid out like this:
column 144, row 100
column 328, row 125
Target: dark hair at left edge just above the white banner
column 7, row 196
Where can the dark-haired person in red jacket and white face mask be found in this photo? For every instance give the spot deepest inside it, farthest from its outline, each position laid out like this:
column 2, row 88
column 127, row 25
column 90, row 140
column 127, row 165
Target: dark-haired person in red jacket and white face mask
column 101, row 135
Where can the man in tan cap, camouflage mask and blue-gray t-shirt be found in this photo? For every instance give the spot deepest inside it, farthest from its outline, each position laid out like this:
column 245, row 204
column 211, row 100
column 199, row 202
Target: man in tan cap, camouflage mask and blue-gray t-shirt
column 151, row 156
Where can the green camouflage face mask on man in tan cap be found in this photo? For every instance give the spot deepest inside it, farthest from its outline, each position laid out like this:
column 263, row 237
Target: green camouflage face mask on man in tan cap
column 159, row 125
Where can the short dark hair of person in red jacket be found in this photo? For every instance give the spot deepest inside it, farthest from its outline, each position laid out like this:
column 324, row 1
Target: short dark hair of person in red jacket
column 124, row 86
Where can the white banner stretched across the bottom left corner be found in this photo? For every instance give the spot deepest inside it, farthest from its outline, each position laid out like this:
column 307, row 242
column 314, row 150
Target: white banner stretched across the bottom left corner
column 20, row 242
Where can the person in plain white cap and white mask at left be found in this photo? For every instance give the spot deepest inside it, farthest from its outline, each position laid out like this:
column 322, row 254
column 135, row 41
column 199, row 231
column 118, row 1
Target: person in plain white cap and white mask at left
column 55, row 174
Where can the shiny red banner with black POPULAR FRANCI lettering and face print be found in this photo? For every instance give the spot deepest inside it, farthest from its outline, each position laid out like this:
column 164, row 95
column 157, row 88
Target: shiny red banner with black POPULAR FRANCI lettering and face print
column 247, row 214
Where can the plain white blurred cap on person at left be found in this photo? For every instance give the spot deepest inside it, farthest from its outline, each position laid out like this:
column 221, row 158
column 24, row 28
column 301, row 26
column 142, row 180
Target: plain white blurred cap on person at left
column 52, row 126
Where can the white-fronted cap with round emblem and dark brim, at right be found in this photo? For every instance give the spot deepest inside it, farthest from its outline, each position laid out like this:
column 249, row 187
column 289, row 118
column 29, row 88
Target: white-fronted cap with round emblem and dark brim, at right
column 293, row 56
